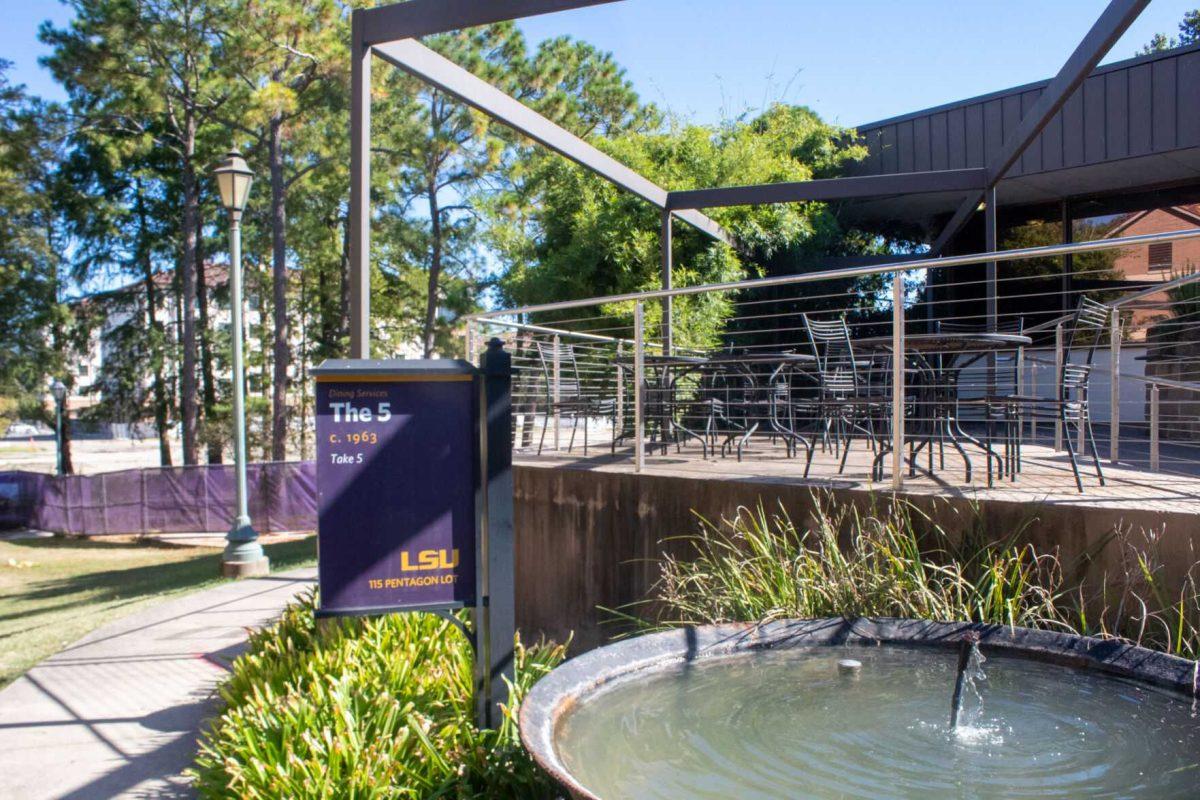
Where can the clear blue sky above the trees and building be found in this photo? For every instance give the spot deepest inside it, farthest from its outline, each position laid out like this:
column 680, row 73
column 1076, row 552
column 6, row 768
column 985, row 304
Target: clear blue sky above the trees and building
column 854, row 62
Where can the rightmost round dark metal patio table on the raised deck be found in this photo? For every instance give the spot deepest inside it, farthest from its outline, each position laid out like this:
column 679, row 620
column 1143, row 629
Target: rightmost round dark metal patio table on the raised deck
column 937, row 358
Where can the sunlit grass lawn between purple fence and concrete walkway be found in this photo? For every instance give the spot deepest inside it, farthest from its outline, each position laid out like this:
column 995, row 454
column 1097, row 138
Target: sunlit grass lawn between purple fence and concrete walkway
column 56, row 591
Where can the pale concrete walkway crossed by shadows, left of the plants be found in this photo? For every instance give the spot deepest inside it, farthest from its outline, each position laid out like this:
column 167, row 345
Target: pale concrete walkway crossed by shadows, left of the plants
column 117, row 714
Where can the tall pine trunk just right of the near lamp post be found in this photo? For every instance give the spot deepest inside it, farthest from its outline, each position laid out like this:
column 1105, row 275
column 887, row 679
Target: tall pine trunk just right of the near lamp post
column 279, row 293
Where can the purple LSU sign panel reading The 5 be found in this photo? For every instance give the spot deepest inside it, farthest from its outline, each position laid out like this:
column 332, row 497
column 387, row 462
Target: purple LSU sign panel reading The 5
column 398, row 462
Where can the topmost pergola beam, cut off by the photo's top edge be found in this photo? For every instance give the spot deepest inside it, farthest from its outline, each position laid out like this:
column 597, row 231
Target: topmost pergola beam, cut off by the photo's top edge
column 428, row 17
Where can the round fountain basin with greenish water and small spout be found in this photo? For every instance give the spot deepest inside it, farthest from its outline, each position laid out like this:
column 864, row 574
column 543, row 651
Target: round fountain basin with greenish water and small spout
column 856, row 709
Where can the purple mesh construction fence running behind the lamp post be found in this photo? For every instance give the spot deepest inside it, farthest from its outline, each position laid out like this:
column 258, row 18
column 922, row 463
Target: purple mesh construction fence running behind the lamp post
column 171, row 500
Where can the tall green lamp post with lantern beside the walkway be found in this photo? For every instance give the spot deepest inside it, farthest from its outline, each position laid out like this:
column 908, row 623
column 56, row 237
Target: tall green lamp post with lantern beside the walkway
column 244, row 555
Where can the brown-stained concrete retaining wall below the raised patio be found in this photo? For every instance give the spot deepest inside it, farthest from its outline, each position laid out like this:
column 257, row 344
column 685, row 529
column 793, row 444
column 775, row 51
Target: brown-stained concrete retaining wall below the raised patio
column 592, row 539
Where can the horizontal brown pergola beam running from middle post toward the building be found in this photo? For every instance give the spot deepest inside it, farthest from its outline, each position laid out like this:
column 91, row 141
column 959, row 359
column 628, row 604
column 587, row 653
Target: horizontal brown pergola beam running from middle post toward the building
column 833, row 189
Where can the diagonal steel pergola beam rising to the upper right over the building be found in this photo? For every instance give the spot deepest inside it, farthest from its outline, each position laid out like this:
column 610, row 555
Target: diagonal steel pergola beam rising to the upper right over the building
column 1100, row 40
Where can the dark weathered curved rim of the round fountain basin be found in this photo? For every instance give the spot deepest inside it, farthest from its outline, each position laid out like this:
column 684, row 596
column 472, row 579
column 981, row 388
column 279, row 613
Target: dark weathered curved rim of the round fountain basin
column 559, row 693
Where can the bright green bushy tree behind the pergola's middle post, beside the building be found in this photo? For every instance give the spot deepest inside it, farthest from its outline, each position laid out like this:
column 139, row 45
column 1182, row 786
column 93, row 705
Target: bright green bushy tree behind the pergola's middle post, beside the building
column 567, row 233
